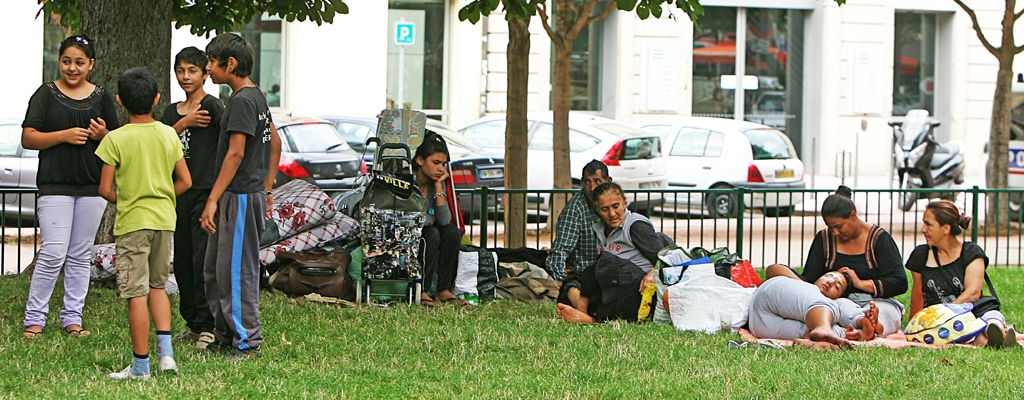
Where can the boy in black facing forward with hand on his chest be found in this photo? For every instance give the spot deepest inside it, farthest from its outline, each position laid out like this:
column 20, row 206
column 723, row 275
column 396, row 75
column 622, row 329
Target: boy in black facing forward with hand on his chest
column 197, row 121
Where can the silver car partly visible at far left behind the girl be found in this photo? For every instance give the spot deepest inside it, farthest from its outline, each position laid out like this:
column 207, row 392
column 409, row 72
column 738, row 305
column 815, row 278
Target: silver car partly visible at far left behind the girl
column 20, row 166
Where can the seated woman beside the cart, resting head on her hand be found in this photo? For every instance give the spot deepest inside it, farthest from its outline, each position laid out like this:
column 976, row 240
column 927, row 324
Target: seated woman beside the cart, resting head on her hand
column 440, row 252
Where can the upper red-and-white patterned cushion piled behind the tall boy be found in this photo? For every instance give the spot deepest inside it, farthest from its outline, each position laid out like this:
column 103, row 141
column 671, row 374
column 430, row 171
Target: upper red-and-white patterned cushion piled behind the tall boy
column 298, row 206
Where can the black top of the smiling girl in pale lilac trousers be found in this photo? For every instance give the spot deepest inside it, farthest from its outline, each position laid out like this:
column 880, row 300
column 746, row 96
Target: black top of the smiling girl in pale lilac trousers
column 69, row 169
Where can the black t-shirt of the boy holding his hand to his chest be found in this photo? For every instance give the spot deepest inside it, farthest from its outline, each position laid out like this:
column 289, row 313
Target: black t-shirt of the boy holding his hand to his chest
column 199, row 145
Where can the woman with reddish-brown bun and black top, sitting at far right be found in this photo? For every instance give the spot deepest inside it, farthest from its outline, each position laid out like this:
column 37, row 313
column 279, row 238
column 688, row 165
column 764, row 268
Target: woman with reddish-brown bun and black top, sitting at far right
column 949, row 271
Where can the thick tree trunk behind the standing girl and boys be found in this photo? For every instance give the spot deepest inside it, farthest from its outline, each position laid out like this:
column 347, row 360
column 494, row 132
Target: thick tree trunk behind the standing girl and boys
column 129, row 34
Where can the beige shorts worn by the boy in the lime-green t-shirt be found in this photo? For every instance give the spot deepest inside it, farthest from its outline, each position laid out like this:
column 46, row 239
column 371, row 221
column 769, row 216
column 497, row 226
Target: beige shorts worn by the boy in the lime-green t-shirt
column 144, row 261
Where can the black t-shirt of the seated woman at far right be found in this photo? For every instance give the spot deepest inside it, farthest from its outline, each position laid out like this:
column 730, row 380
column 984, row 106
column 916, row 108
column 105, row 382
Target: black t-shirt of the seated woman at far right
column 944, row 284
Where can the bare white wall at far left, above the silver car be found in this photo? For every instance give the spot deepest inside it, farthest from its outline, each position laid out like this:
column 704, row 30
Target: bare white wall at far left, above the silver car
column 22, row 73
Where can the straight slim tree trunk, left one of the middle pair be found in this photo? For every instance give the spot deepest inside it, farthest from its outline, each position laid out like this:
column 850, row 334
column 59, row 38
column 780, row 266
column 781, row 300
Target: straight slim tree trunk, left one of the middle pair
column 518, row 57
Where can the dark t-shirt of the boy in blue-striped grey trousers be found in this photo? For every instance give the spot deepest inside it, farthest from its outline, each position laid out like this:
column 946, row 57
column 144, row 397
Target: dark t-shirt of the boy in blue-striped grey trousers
column 247, row 114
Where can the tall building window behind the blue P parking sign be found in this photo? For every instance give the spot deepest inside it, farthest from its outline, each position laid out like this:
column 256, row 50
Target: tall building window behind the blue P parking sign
column 421, row 84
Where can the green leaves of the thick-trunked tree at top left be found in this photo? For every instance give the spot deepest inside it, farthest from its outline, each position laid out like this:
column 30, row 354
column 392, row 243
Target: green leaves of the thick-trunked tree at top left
column 206, row 17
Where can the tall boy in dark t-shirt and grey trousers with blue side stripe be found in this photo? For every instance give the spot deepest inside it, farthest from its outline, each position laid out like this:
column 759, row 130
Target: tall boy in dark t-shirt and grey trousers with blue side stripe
column 240, row 201
